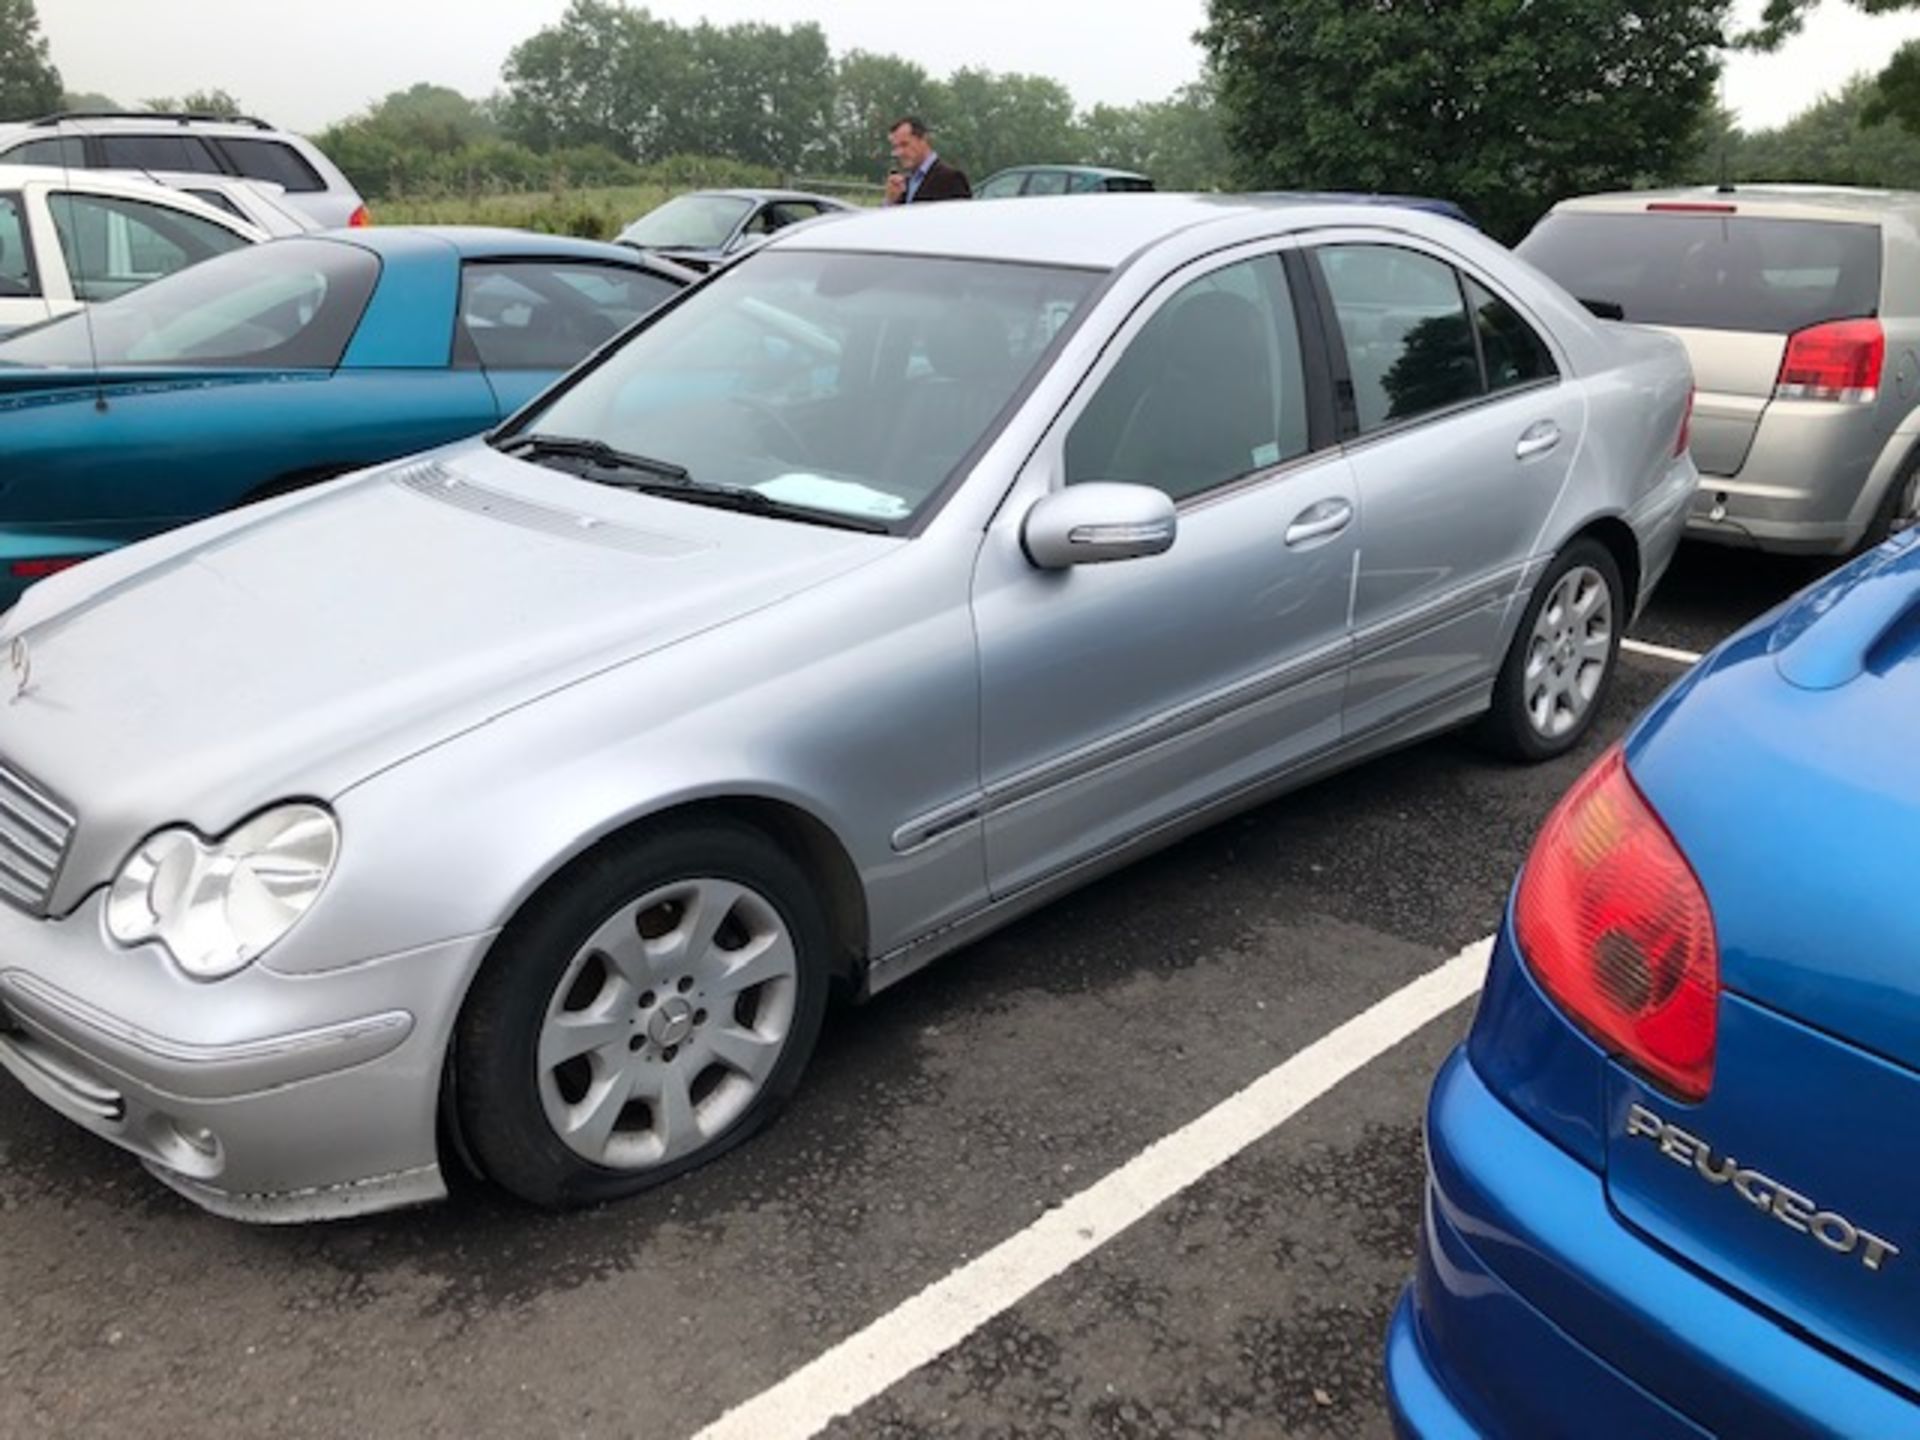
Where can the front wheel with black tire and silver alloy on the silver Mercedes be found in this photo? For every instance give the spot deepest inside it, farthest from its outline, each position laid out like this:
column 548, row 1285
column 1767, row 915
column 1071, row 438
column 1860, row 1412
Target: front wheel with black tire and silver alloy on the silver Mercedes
column 688, row 965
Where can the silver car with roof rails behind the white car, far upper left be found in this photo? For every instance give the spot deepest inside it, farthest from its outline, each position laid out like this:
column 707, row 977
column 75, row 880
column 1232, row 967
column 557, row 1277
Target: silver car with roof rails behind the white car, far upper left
column 203, row 145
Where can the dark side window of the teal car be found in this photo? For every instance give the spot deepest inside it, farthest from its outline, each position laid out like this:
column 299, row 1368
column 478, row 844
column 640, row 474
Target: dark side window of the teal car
column 533, row 316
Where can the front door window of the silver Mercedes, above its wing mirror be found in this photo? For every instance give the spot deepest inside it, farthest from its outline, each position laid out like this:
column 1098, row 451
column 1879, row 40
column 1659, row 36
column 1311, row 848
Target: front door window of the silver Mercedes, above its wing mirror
column 1207, row 393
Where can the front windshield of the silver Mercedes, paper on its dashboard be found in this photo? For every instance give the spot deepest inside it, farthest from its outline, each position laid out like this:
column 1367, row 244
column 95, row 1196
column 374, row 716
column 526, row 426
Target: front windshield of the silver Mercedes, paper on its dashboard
column 840, row 383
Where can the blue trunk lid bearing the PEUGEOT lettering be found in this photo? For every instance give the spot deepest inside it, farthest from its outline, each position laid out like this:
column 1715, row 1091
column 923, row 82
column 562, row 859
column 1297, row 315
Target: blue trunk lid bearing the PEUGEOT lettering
column 1788, row 773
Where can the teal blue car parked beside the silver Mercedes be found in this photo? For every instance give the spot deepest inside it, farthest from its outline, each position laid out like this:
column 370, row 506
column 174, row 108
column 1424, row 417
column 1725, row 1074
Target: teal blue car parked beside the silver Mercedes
column 287, row 364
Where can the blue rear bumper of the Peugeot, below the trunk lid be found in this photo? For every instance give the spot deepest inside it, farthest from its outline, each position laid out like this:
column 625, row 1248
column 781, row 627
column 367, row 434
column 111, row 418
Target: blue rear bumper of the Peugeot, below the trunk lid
column 1537, row 1312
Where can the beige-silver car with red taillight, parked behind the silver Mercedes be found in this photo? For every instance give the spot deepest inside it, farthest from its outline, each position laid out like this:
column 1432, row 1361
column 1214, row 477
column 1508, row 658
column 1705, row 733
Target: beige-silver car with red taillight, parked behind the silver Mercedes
column 1800, row 308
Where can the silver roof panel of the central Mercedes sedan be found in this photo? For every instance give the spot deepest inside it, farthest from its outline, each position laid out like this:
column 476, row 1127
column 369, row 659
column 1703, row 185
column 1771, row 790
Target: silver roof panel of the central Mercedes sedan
column 1092, row 231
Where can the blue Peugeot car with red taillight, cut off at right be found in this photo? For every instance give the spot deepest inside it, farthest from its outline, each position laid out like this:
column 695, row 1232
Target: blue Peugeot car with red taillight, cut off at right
column 1673, row 1174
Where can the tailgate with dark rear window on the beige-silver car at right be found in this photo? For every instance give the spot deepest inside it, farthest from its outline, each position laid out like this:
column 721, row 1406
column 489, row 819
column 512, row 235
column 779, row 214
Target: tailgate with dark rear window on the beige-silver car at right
column 1731, row 287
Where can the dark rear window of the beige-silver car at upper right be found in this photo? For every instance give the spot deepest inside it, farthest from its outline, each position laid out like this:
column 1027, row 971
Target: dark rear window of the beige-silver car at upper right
column 1714, row 272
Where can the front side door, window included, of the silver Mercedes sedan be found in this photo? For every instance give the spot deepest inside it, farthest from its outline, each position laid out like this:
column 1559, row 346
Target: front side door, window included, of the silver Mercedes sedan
column 1118, row 698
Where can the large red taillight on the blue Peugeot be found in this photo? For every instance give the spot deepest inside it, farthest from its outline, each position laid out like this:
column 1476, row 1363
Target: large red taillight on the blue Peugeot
column 1618, row 930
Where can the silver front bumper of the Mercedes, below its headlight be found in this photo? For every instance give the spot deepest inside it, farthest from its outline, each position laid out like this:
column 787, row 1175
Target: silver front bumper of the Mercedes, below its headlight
column 262, row 1097
